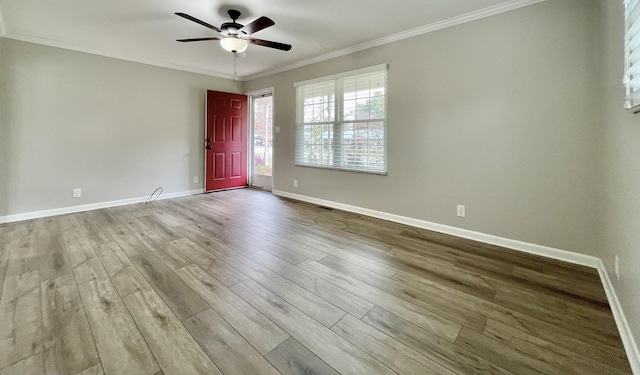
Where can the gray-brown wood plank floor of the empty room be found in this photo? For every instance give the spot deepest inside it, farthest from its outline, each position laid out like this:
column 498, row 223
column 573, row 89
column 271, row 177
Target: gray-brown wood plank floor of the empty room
column 243, row 282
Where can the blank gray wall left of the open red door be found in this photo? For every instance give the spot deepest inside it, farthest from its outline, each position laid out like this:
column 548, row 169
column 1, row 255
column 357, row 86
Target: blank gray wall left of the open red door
column 114, row 128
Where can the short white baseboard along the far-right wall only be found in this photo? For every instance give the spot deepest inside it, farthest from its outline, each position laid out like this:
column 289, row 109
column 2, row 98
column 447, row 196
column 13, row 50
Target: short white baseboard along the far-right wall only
column 630, row 346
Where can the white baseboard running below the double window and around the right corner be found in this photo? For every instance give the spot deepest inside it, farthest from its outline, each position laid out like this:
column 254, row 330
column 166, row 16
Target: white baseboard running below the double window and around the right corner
column 586, row 260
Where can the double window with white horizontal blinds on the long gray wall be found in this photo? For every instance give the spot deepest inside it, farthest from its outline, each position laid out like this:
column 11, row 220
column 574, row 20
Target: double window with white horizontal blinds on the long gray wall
column 341, row 121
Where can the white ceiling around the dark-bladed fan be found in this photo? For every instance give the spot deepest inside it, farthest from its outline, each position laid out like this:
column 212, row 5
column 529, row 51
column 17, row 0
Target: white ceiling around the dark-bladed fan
column 145, row 30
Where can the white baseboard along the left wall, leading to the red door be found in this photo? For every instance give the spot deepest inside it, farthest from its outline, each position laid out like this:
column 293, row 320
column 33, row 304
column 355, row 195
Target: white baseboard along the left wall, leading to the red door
column 91, row 206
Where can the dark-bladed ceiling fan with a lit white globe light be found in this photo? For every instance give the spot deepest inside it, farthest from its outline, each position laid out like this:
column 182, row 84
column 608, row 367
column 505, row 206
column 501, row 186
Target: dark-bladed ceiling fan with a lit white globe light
column 235, row 37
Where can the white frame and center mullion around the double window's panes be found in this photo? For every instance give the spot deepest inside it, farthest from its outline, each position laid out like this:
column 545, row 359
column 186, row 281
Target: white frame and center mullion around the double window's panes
column 337, row 121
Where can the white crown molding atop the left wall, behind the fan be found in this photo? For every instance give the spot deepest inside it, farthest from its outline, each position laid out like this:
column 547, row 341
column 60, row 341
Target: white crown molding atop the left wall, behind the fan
column 98, row 52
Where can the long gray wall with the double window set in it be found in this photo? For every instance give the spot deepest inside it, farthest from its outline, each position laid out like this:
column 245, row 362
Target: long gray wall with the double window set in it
column 498, row 114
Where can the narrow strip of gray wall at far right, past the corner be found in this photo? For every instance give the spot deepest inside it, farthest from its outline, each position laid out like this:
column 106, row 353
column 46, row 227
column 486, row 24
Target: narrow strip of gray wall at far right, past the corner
column 621, row 170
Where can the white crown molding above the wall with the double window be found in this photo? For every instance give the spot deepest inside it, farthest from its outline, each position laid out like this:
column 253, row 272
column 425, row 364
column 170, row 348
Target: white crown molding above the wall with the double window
column 454, row 21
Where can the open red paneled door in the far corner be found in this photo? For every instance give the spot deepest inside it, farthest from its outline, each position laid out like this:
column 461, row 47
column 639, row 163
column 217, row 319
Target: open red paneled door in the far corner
column 226, row 141
